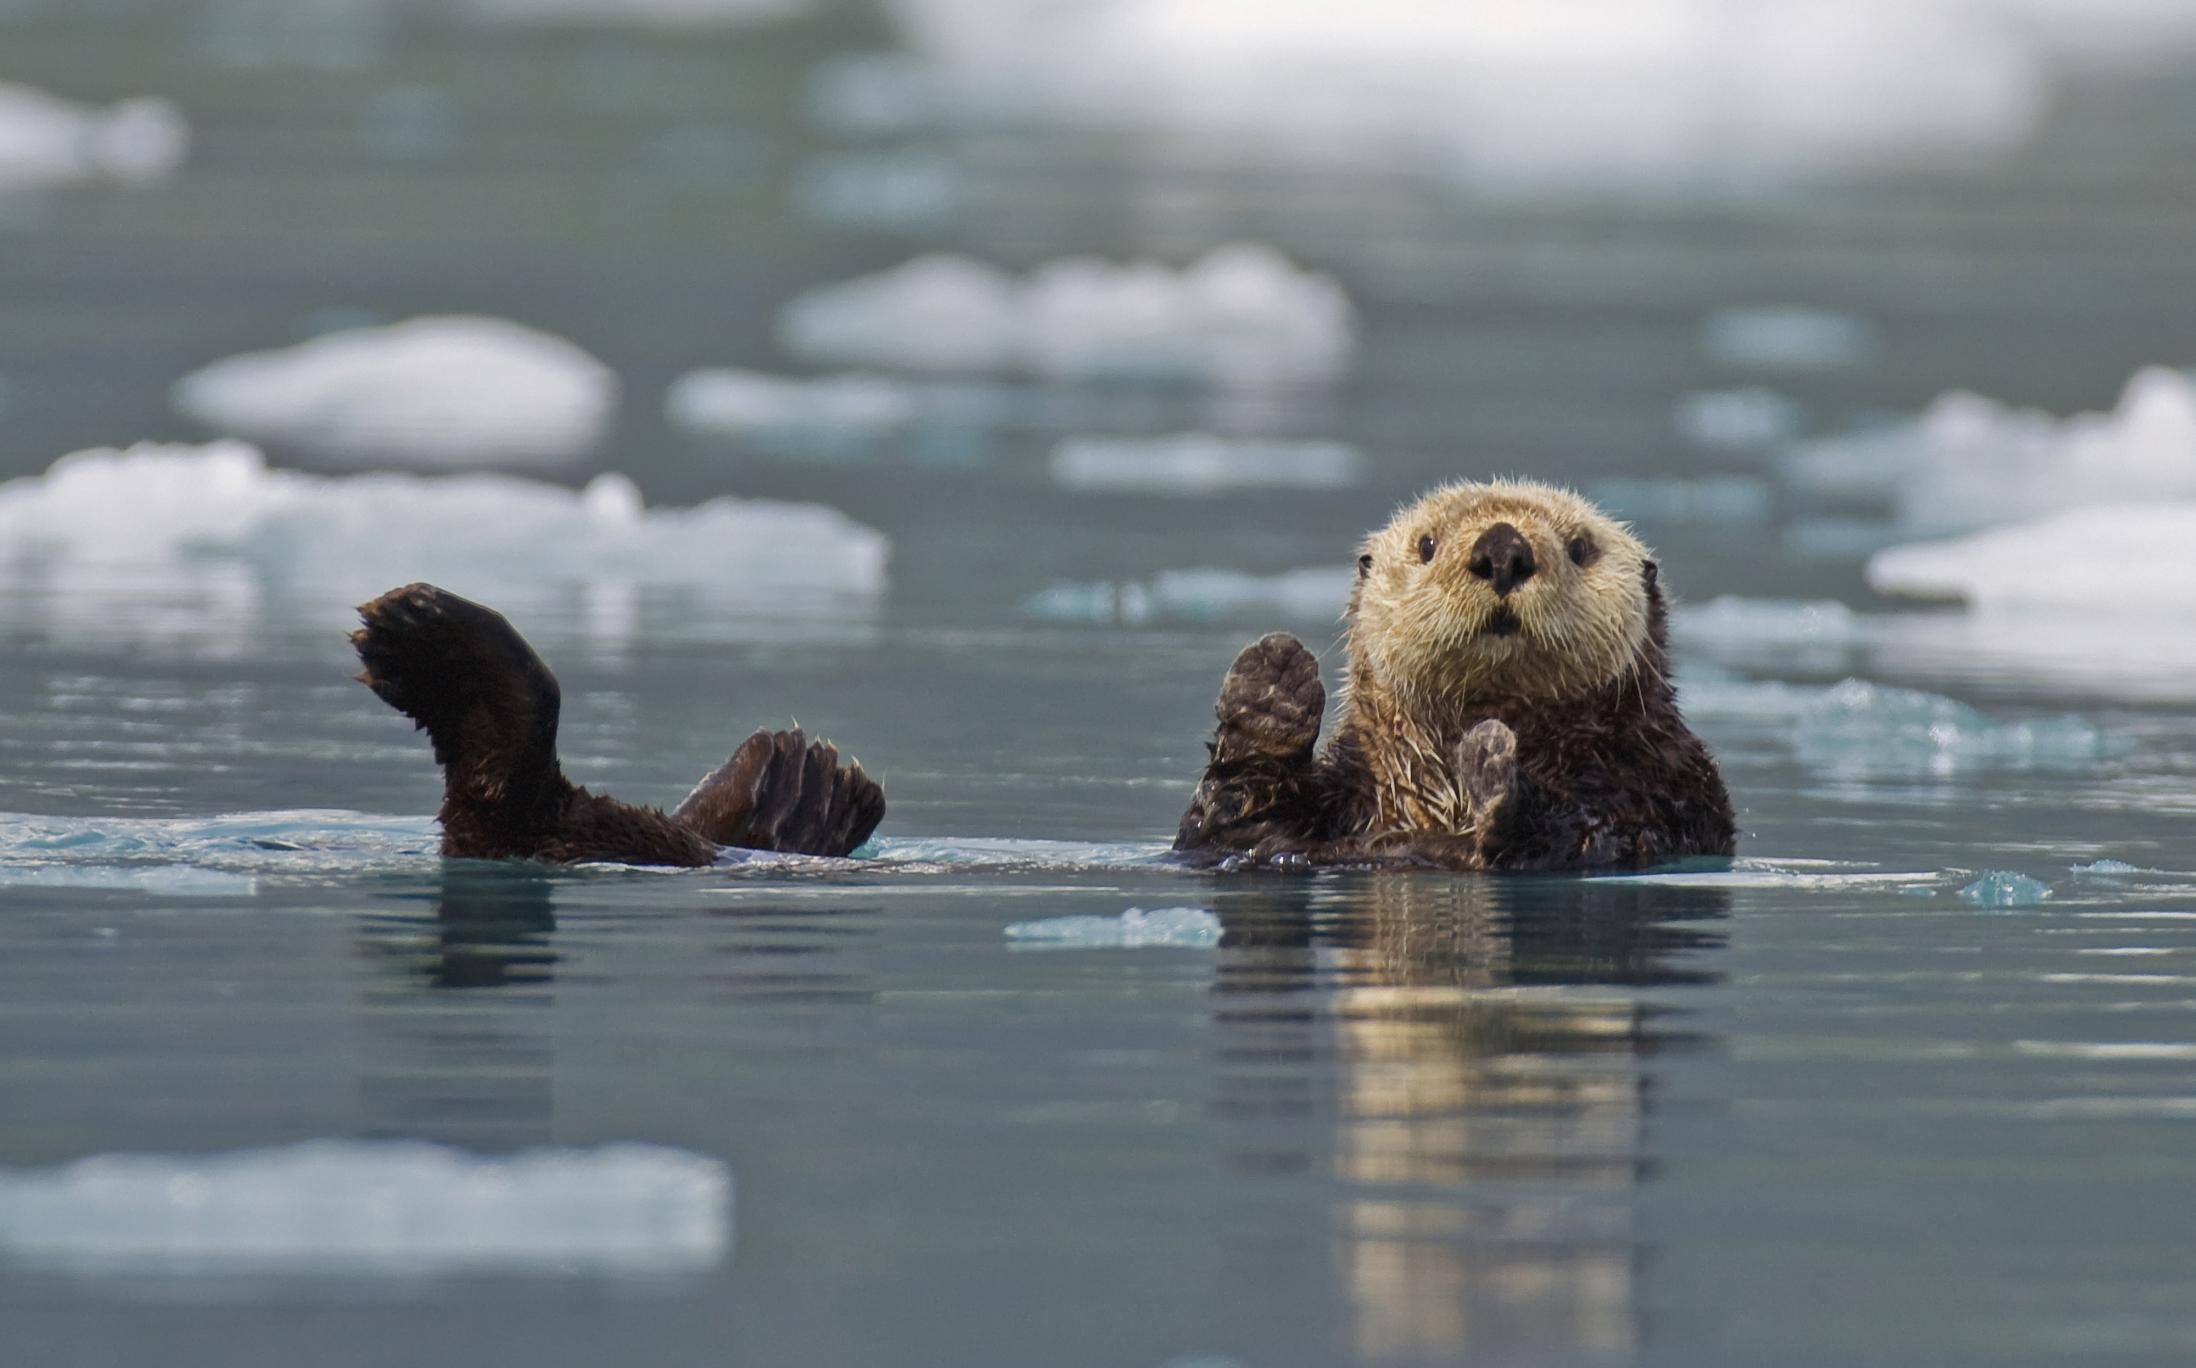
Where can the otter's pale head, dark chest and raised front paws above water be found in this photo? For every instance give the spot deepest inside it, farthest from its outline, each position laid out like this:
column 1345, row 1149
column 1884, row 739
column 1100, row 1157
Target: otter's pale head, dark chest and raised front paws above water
column 1508, row 706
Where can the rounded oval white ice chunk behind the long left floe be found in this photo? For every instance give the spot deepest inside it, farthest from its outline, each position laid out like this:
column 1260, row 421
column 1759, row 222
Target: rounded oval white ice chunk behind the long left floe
column 445, row 392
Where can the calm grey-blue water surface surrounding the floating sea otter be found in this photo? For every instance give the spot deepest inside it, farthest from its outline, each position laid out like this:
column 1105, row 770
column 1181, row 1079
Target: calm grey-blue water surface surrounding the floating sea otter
column 1912, row 1084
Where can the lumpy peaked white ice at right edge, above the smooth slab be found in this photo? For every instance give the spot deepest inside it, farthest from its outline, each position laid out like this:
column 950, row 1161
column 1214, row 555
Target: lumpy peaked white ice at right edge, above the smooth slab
column 1971, row 462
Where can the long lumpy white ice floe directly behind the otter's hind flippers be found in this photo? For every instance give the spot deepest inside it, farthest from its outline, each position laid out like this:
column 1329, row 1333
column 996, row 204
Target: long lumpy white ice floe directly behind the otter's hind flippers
column 186, row 513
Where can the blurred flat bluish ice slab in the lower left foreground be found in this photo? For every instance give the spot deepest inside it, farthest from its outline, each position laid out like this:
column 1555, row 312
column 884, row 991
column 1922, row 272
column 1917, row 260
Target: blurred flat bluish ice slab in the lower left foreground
column 372, row 1209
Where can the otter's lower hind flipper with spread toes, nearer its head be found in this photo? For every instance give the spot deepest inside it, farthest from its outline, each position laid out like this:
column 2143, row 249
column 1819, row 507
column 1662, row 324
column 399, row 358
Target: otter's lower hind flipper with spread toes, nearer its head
column 783, row 794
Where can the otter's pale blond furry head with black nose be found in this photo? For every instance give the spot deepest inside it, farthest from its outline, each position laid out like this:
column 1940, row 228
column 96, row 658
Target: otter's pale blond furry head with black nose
column 1499, row 587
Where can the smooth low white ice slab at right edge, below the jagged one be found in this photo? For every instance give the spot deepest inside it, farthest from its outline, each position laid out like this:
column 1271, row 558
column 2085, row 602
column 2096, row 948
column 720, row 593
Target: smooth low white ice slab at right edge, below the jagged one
column 2151, row 563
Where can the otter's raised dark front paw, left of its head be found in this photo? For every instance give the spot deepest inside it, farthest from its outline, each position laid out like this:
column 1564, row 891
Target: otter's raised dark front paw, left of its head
column 1264, row 783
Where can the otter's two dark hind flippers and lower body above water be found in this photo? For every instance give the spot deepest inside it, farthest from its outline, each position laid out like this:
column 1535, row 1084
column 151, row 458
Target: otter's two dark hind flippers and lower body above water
column 489, row 706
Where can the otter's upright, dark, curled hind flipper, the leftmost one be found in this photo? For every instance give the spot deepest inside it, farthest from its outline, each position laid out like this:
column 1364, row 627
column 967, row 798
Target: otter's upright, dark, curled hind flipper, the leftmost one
column 473, row 684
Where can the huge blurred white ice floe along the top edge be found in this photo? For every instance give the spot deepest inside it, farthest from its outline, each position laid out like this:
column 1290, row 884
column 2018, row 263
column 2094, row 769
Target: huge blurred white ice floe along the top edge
column 1521, row 98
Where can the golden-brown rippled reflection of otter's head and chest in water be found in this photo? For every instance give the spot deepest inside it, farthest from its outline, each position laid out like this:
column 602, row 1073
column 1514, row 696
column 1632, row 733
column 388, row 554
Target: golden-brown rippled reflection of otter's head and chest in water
column 1481, row 1053
